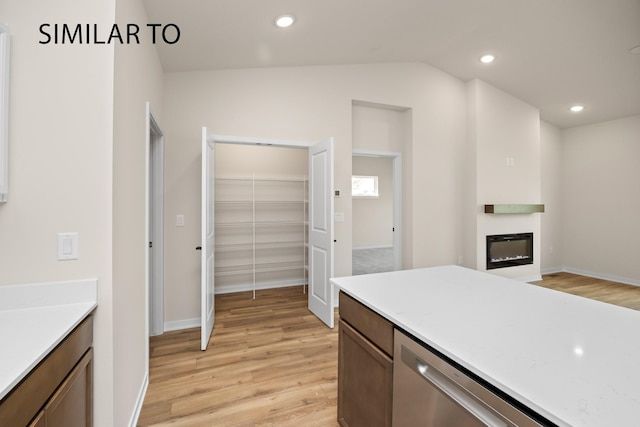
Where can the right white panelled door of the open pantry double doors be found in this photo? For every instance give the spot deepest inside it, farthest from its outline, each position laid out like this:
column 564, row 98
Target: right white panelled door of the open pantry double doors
column 321, row 230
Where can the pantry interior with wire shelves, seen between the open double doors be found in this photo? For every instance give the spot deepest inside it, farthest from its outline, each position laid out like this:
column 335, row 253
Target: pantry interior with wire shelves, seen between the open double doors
column 261, row 217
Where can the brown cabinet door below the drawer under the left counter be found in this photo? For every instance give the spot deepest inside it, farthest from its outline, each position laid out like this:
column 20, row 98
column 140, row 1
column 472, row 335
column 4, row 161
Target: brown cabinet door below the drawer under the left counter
column 71, row 405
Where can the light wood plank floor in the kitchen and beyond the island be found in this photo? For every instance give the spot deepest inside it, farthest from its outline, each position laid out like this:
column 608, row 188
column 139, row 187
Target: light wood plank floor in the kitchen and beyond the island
column 272, row 363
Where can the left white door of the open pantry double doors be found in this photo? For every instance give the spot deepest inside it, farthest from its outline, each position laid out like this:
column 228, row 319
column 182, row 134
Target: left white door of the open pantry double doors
column 207, row 240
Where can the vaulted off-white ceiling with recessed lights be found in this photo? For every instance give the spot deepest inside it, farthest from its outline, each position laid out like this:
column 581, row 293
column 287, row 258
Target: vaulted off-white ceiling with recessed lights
column 549, row 53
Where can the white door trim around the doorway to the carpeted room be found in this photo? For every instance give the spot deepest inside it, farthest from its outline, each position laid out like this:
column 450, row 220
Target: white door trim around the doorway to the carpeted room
column 397, row 198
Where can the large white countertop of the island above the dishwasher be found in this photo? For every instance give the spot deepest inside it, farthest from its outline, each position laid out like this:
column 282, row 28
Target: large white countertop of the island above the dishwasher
column 573, row 360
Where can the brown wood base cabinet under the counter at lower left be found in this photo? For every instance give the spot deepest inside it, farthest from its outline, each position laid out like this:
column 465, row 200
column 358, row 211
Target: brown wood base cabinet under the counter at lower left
column 59, row 391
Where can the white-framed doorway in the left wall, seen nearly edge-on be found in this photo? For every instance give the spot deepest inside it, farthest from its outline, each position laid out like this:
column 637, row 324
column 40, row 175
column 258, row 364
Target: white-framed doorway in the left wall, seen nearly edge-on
column 154, row 225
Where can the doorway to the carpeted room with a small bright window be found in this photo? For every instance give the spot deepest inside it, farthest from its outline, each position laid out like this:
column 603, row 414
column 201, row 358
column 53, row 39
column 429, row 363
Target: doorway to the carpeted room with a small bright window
column 377, row 212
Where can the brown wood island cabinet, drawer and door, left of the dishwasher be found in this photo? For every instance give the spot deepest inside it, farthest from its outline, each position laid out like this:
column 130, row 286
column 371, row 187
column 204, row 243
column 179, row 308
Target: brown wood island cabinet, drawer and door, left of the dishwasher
column 365, row 366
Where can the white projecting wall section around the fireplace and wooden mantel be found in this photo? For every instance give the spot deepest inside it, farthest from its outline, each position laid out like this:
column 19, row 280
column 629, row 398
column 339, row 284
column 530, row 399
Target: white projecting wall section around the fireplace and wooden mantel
column 505, row 127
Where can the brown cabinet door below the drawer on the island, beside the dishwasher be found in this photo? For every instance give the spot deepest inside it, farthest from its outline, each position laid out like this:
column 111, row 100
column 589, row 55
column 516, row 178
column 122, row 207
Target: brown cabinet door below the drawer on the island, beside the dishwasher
column 365, row 381
